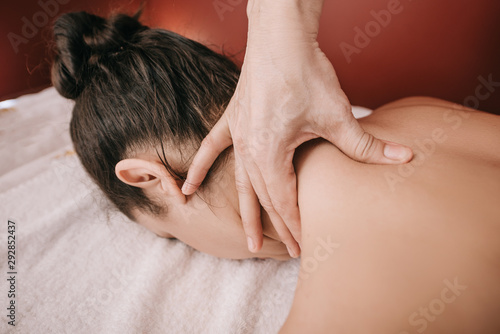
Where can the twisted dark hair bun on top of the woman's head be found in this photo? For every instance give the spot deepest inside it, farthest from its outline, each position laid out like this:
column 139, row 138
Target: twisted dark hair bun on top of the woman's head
column 82, row 39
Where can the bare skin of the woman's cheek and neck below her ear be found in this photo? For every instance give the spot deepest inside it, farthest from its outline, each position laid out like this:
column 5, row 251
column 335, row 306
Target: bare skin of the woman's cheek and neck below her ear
column 210, row 222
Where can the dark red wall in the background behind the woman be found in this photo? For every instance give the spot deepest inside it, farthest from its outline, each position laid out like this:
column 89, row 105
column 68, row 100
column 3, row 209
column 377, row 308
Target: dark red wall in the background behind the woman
column 430, row 47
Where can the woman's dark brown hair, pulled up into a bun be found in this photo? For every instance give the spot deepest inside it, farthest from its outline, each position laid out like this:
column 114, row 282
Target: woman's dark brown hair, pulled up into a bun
column 136, row 88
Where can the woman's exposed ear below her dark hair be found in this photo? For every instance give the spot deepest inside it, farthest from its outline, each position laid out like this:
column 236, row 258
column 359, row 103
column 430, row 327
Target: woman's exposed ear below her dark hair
column 150, row 176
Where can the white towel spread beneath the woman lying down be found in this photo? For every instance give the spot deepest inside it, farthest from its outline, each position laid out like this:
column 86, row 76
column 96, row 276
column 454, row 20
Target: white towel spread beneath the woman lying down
column 83, row 268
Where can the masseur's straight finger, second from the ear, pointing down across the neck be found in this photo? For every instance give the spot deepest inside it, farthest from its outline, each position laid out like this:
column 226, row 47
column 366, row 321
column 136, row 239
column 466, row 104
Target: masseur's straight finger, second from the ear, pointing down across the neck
column 249, row 207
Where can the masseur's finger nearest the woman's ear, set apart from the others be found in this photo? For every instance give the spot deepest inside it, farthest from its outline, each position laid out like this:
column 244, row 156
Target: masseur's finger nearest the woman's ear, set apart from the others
column 217, row 140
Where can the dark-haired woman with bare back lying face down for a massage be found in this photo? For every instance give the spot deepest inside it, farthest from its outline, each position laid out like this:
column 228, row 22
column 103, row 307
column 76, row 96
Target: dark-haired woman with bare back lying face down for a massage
column 385, row 249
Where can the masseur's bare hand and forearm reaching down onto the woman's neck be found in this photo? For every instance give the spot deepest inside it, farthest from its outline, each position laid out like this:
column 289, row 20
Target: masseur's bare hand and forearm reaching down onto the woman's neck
column 288, row 93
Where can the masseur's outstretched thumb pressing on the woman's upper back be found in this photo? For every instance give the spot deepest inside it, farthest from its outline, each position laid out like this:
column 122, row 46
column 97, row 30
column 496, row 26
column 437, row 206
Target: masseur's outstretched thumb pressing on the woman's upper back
column 364, row 147
